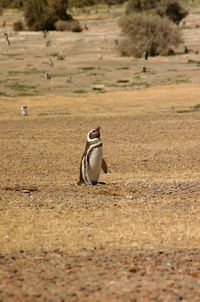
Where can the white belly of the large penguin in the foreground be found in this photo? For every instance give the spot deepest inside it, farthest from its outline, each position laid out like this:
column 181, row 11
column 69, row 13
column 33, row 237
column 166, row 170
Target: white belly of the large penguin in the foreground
column 95, row 162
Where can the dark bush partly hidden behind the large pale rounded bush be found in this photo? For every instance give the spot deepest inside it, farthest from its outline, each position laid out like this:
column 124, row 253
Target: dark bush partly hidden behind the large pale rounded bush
column 173, row 10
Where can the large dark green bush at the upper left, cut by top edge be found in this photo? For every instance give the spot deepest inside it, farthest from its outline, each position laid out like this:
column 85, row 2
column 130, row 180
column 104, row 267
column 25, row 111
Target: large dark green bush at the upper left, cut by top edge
column 43, row 14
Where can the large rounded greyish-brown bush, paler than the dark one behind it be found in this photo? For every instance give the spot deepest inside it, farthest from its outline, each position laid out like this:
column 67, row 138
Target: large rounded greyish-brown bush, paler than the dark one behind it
column 149, row 33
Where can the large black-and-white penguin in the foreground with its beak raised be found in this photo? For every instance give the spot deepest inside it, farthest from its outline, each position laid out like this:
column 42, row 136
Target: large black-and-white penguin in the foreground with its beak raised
column 92, row 159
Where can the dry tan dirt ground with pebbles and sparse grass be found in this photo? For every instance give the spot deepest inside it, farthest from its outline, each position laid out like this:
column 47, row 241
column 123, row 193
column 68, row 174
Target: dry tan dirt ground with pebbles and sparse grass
column 136, row 238
